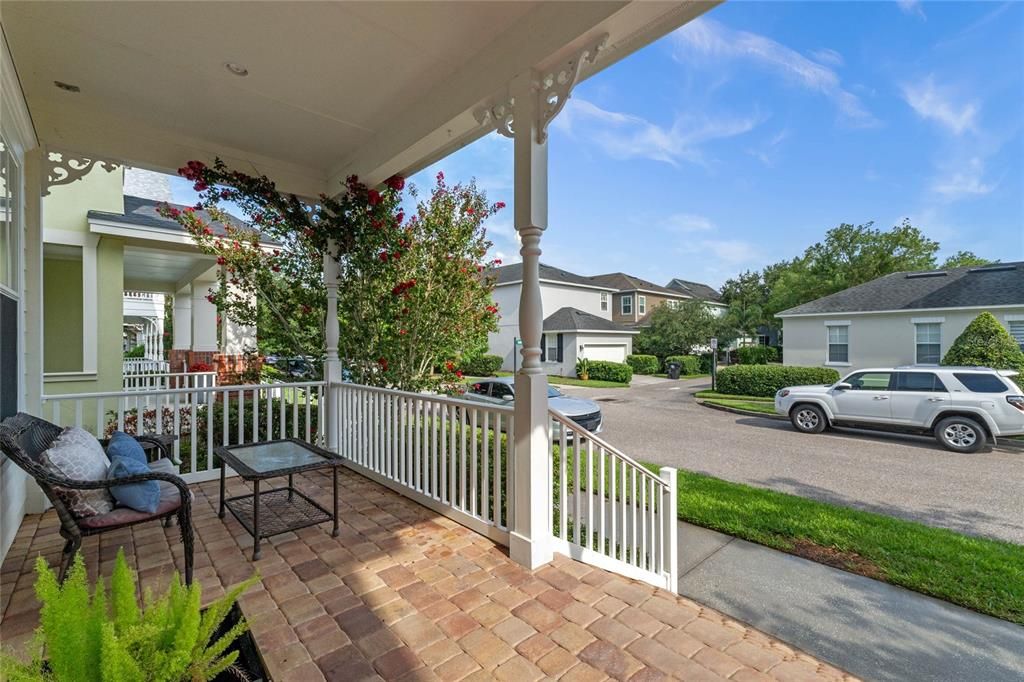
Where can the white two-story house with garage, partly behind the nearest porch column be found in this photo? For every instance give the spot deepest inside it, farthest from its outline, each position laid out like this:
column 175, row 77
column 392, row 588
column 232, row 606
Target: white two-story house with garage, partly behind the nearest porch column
column 581, row 325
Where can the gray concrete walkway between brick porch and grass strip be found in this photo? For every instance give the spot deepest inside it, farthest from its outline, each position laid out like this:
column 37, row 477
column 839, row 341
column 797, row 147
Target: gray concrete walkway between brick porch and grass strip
column 871, row 629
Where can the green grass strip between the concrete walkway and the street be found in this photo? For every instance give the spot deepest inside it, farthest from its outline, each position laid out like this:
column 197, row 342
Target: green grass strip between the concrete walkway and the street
column 984, row 575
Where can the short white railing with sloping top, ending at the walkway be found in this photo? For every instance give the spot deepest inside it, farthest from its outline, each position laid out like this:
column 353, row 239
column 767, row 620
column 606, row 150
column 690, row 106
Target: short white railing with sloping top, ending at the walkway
column 610, row 510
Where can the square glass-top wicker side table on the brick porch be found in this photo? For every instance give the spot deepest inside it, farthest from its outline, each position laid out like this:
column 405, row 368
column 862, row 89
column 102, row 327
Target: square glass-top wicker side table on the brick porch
column 273, row 511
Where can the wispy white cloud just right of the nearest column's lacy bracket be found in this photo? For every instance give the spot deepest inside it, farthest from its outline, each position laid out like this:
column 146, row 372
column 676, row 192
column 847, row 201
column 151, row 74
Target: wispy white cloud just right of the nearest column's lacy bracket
column 629, row 137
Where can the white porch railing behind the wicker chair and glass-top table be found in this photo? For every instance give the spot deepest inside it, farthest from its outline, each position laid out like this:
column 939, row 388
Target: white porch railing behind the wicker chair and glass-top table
column 202, row 418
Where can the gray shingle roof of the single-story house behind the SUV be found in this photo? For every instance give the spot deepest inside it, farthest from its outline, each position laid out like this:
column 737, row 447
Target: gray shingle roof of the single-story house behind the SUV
column 960, row 287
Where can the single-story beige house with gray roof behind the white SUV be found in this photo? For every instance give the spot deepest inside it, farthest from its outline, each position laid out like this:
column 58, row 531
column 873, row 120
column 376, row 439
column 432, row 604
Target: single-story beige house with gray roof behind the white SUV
column 903, row 319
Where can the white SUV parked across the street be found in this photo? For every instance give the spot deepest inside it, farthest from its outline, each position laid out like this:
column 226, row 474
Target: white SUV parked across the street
column 963, row 407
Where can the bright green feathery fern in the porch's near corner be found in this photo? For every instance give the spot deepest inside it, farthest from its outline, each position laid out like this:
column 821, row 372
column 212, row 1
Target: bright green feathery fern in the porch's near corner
column 109, row 638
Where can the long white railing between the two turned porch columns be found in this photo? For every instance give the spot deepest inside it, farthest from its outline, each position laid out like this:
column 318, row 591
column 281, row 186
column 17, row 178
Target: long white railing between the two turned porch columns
column 450, row 455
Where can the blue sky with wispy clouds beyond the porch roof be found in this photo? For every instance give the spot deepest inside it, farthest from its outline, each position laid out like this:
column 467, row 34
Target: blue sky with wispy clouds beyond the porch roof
column 741, row 139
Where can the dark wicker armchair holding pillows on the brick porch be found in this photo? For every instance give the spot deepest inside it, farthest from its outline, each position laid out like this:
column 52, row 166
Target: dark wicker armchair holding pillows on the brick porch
column 24, row 439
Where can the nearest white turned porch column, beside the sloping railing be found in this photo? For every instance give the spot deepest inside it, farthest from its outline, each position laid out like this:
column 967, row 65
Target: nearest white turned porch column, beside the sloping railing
column 530, row 543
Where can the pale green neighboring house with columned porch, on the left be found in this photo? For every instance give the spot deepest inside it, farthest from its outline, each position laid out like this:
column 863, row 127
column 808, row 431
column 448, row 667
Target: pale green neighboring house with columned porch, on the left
column 109, row 261
